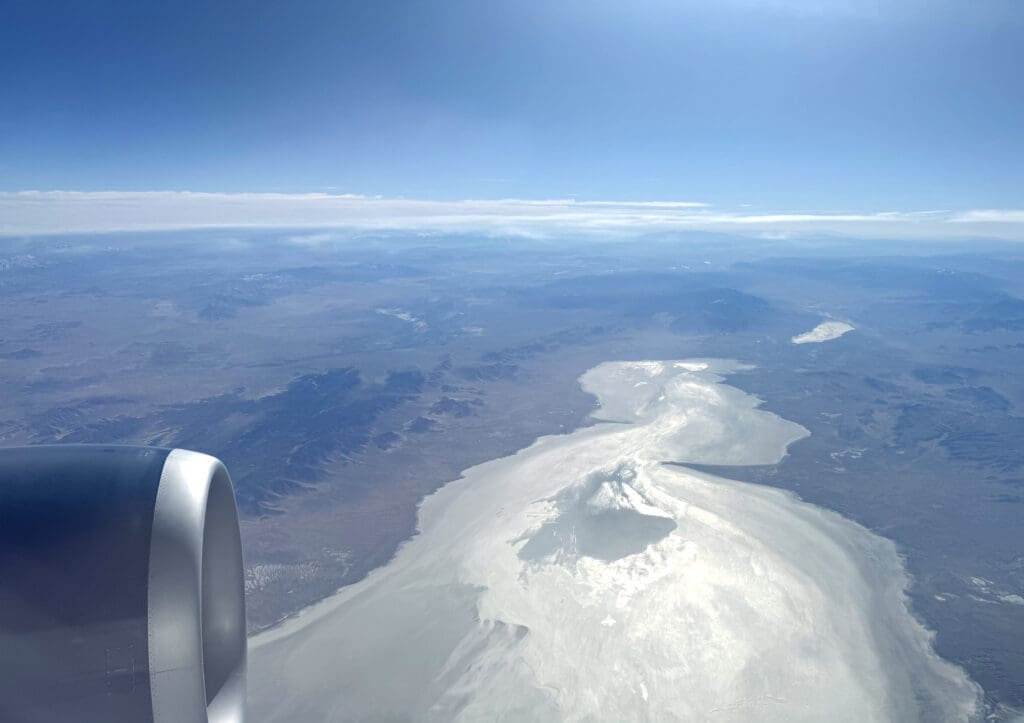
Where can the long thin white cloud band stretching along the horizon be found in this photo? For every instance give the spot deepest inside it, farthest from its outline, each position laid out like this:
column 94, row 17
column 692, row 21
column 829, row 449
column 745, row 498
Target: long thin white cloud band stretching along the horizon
column 35, row 212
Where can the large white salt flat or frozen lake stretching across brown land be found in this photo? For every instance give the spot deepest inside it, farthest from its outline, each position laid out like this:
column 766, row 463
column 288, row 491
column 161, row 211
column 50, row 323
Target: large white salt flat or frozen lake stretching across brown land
column 586, row 579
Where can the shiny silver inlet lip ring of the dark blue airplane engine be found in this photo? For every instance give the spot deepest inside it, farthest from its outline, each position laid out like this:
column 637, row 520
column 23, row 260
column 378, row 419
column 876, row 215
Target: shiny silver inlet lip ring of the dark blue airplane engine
column 197, row 630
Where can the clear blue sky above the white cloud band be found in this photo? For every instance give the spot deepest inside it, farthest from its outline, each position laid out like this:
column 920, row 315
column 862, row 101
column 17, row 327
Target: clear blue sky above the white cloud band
column 839, row 106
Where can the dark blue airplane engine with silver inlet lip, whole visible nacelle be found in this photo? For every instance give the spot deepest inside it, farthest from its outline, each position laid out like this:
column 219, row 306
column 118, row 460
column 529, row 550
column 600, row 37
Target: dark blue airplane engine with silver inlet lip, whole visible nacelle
column 121, row 587
